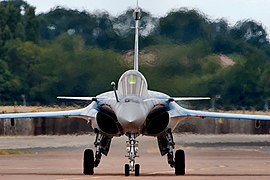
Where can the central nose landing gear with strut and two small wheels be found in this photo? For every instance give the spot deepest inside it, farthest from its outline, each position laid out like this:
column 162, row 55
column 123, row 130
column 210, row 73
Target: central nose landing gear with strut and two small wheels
column 132, row 150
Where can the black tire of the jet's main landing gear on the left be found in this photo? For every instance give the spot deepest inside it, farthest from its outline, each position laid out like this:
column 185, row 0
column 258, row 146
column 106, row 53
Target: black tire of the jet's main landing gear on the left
column 88, row 162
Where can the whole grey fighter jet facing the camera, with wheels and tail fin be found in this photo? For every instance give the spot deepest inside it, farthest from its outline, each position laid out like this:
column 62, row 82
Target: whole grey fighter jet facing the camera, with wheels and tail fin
column 131, row 110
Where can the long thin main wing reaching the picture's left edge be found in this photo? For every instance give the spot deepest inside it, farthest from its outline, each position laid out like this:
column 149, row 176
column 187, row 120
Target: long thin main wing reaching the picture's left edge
column 78, row 112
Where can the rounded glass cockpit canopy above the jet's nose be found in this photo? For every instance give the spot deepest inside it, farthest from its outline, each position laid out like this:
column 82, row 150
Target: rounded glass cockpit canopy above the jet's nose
column 132, row 83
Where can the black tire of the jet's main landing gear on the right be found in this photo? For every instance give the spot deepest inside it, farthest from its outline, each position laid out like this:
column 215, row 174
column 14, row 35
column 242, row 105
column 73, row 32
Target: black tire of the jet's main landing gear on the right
column 180, row 166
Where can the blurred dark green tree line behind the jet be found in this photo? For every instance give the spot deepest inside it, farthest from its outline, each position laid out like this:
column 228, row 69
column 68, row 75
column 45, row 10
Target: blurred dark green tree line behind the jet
column 77, row 53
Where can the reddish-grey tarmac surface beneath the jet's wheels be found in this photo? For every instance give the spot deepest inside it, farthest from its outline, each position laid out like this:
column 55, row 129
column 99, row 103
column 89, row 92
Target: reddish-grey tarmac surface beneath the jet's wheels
column 207, row 157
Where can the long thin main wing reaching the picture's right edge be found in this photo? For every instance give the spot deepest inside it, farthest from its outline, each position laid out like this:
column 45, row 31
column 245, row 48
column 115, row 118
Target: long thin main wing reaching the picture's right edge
column 182, row 112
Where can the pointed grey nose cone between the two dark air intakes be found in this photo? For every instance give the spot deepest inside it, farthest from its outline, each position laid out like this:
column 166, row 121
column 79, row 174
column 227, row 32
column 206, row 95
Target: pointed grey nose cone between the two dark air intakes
column 131, row 116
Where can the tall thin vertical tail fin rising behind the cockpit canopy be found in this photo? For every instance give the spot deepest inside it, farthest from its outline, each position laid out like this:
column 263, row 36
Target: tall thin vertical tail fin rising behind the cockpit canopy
column 137, row 17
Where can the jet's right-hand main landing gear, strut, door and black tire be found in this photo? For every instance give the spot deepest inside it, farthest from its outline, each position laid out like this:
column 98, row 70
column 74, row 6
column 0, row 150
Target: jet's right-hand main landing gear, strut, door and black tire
column 166, row 146
